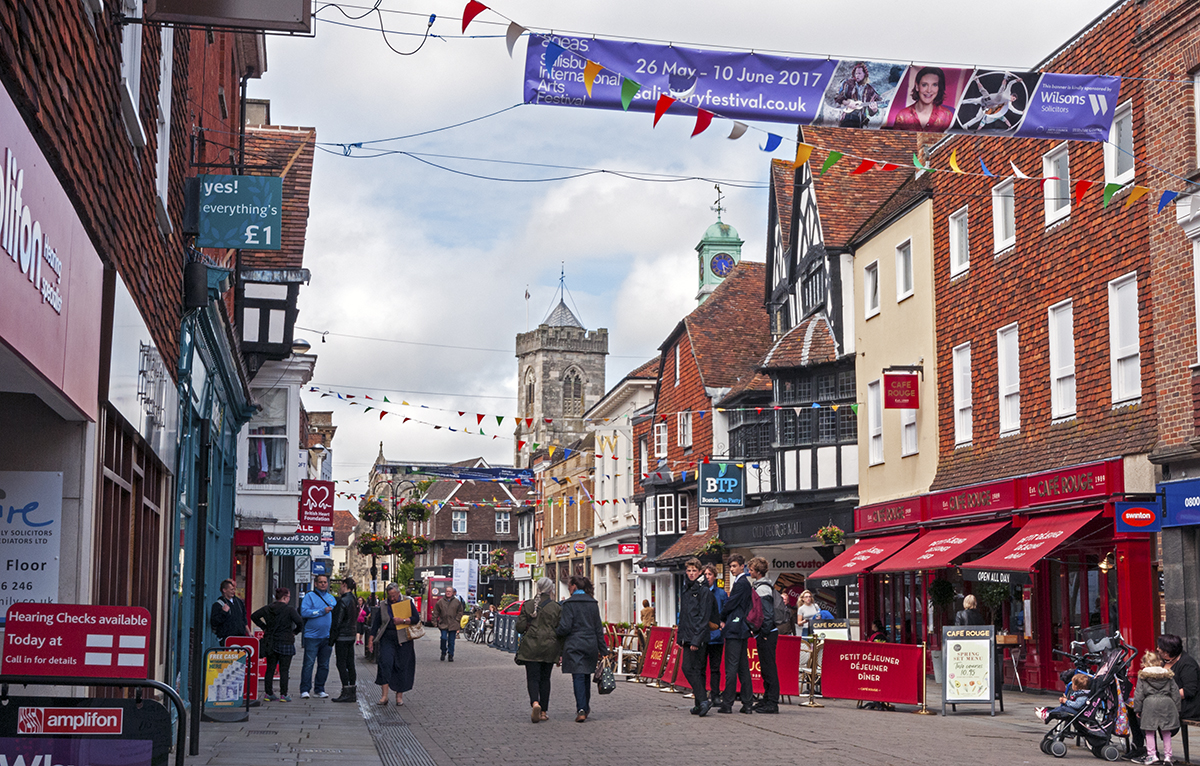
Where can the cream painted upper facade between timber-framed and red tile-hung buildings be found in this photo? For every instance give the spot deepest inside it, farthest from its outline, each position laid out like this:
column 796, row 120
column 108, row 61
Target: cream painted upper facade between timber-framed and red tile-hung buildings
column 895, row 328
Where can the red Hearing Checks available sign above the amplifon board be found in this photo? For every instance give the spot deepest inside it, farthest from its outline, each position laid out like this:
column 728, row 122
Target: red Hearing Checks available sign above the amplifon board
column 77, row 641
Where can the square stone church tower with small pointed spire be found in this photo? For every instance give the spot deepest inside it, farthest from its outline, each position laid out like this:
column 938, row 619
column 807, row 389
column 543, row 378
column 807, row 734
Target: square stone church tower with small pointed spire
column 561, row 369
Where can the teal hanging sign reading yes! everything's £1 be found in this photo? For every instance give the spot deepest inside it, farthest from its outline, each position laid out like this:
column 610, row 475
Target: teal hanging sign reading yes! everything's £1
column 241, row 212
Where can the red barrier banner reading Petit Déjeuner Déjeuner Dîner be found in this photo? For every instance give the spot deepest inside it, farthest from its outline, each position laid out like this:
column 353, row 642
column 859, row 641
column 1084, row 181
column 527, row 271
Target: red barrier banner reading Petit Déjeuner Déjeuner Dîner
column 880, row 673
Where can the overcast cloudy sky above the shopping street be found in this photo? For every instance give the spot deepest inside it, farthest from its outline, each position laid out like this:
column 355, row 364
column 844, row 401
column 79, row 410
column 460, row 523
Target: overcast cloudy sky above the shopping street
column 406, row 252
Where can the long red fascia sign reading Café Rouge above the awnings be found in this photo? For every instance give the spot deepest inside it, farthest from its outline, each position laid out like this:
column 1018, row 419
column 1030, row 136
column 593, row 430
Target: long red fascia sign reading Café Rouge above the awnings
column 1077, row 483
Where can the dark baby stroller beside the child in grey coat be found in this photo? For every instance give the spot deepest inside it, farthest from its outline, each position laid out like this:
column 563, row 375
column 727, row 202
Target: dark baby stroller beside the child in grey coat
column 1096, row 721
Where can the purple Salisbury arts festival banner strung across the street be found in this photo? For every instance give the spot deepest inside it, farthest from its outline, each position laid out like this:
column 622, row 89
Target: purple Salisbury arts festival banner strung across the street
column 869, row 95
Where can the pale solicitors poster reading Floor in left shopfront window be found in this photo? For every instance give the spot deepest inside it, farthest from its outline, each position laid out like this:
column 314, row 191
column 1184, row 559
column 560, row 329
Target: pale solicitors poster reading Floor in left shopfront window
column 31, row 534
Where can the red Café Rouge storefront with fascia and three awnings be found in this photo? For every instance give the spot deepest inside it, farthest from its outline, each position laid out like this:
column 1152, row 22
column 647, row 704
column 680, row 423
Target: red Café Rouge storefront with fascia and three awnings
column 1040, row 553
